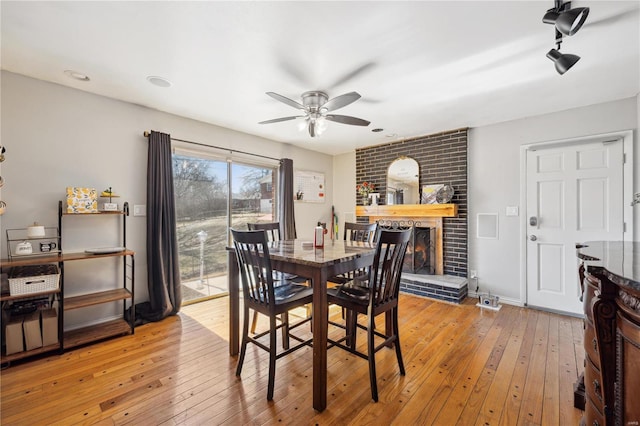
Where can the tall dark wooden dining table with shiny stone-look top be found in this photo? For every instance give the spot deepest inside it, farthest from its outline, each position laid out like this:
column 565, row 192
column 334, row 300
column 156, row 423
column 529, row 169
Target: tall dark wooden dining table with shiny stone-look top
column 317, row 264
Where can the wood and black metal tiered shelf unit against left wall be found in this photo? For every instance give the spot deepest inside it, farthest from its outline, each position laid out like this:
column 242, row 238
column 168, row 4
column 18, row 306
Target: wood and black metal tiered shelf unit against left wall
column 120, row 290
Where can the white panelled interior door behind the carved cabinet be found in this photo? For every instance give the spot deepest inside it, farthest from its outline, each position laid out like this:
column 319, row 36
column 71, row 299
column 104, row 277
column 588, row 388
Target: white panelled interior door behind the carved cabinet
column 574, row 194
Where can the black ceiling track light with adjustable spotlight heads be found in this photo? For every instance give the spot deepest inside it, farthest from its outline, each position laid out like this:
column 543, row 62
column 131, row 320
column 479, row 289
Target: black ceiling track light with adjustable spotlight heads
column 567, row 21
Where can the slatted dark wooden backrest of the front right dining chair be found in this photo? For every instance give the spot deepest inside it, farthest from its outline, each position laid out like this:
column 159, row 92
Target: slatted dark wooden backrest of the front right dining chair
column 386, row 270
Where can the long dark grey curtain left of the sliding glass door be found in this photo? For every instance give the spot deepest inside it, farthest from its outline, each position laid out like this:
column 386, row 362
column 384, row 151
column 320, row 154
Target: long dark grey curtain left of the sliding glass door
column 165, row 294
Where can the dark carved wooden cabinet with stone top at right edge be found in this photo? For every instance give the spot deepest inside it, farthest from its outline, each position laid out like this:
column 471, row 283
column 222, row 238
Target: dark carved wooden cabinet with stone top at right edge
column 610, row 274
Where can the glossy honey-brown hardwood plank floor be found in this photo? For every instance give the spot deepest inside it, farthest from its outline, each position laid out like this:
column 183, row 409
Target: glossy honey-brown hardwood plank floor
column 464, row 365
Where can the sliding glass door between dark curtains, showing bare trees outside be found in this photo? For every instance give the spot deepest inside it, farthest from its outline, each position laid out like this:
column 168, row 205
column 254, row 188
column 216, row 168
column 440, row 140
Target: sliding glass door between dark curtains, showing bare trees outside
column 205, row 210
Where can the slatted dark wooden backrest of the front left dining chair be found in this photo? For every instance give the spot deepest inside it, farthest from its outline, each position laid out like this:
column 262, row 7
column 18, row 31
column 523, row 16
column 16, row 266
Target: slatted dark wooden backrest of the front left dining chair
column 256, row 275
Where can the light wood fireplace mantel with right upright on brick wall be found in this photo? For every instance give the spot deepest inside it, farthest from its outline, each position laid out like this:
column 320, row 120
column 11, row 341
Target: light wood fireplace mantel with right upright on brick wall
column 428, row 214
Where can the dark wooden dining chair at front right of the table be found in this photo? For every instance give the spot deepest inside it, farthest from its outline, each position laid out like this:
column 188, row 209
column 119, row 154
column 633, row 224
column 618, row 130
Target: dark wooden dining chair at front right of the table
column 381, row 296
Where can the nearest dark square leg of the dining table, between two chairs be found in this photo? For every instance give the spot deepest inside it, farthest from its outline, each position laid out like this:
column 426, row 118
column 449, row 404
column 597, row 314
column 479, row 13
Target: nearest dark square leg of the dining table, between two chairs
column 320, row 326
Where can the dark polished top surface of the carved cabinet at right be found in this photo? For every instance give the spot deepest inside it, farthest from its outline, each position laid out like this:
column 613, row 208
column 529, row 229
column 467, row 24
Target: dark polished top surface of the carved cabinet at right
column 619, row 260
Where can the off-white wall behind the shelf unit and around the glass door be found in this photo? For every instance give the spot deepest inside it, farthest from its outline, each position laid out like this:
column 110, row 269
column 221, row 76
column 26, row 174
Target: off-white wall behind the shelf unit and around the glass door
column 57, row 137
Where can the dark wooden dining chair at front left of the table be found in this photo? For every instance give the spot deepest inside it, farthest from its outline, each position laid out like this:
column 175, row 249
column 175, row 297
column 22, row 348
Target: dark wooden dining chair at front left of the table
column 262, row 296
